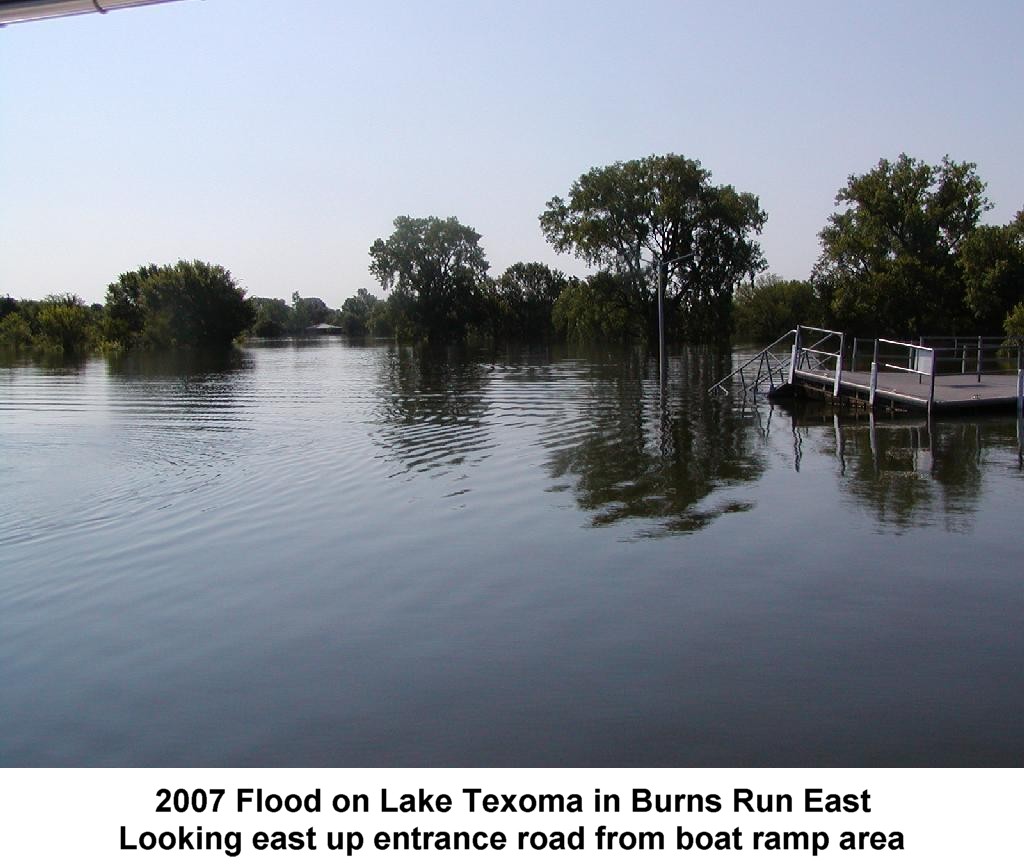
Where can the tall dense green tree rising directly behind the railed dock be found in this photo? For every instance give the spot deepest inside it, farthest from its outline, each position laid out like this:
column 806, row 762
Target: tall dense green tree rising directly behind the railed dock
column 890, row 256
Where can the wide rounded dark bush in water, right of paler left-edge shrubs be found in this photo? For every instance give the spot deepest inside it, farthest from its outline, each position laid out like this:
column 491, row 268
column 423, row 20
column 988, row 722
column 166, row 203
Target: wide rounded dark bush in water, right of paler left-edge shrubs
column 187, row 305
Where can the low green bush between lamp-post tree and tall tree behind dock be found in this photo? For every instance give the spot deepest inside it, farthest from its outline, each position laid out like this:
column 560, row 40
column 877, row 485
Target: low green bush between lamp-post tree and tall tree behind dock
column 773, row 307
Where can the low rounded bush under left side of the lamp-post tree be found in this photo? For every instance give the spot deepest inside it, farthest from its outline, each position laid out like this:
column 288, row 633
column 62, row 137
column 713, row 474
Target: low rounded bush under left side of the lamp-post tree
column 599, row 309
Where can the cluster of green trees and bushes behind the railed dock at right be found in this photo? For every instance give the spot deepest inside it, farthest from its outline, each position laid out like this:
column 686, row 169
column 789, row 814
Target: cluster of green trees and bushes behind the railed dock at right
column 905, row 255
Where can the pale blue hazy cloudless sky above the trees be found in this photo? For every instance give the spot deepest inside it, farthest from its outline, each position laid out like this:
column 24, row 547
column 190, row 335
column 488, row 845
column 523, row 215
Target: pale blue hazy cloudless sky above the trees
column 281, row 139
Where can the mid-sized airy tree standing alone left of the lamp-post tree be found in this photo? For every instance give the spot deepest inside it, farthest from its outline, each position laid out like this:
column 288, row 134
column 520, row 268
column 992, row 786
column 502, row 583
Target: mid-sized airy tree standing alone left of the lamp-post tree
column 438, row 274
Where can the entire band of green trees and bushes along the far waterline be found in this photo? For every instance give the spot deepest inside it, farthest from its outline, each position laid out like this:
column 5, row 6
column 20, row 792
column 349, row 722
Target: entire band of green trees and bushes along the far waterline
column 905, row 254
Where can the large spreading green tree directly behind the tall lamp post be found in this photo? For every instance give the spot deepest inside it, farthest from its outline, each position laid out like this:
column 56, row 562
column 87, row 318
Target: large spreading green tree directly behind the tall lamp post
column 636, row 218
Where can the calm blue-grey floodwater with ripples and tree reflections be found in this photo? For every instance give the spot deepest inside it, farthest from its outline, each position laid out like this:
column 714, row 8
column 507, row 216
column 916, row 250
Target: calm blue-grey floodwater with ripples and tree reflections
column 324, row 554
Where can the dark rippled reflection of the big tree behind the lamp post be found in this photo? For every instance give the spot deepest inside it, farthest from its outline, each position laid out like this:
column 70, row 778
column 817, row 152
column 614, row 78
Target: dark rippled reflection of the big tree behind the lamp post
column 669, row 459
